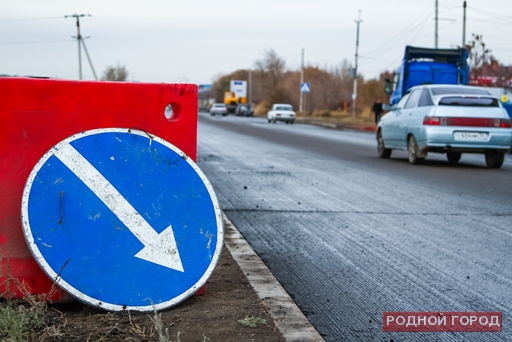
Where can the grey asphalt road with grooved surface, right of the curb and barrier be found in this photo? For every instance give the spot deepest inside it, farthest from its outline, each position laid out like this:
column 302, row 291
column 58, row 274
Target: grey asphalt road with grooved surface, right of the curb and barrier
column 350, row 236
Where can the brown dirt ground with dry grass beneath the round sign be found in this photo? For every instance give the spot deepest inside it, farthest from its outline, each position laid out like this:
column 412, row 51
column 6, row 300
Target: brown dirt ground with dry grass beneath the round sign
column 213, row 316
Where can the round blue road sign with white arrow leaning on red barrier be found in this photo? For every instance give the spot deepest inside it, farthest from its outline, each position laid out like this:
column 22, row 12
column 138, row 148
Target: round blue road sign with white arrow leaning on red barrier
column 122, row 220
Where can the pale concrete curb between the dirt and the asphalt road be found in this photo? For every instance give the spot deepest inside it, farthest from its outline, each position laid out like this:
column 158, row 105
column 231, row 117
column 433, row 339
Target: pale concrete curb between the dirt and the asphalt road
column 288, row 318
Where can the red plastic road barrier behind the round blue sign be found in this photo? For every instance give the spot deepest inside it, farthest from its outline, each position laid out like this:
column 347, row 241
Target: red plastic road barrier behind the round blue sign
column 36, row 114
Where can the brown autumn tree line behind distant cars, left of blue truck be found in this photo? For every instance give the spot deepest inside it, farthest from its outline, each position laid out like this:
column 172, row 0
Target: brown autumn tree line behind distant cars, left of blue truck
column 331, row 89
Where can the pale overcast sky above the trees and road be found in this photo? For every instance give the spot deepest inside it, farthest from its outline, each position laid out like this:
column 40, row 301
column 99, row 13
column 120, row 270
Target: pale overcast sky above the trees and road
column 194, row 41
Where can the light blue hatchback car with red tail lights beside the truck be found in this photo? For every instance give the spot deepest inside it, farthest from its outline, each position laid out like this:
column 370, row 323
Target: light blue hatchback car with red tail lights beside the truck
column 451, row 119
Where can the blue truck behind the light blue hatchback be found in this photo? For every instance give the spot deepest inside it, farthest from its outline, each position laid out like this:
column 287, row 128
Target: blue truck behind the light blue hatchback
column 428, row 66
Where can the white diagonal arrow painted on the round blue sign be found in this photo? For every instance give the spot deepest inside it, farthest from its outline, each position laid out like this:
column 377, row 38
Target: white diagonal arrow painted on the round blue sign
column 160, row 248
